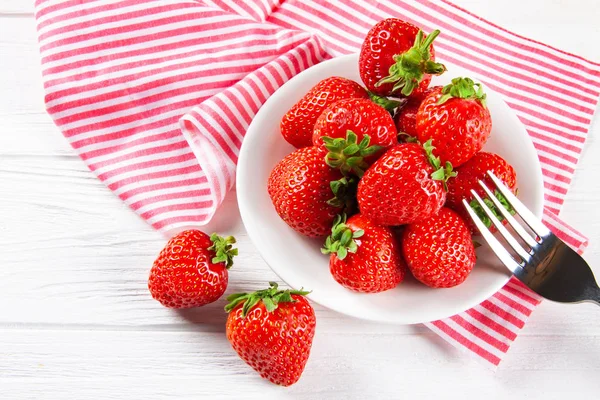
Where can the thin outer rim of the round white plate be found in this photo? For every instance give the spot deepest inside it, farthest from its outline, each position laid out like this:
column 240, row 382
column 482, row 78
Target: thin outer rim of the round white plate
column 242, row 180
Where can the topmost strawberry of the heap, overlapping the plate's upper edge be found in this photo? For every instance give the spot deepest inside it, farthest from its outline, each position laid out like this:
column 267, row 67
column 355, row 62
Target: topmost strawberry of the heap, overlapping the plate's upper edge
column 396, row 58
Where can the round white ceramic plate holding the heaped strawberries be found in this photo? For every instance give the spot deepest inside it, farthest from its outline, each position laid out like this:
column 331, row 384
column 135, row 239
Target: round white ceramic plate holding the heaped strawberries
column 297, row 259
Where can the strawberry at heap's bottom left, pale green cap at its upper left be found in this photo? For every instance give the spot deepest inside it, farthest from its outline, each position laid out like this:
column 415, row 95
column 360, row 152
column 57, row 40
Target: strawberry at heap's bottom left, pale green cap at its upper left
column 364, row 256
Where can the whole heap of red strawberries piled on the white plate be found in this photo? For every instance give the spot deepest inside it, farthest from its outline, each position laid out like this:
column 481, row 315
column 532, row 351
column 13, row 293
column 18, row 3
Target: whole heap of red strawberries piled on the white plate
column 383, row 170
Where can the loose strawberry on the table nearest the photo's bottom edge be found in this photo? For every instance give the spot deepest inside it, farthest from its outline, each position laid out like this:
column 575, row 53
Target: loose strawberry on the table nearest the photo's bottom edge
column 272, row 331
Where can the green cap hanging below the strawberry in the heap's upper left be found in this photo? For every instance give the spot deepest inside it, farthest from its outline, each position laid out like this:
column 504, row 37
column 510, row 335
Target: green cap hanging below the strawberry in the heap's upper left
column 347, row 155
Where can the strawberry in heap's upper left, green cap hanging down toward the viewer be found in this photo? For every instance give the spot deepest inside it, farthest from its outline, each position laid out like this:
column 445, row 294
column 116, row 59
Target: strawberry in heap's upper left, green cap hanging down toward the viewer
column 355, row 132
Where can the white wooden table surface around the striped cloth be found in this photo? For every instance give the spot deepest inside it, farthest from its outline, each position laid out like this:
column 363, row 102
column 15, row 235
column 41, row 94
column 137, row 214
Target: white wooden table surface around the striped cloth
column 77, row 320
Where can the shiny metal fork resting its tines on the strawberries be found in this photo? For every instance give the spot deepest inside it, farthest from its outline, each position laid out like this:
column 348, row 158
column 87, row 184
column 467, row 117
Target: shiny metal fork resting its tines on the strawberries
column 544, row 263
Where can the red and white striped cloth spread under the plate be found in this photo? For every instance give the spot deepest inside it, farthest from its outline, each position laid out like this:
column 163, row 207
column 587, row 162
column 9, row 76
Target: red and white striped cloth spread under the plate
column 156, row 96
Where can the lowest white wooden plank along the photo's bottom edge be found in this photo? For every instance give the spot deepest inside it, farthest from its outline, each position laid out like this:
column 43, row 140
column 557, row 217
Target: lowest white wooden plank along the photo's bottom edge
column 121, row 364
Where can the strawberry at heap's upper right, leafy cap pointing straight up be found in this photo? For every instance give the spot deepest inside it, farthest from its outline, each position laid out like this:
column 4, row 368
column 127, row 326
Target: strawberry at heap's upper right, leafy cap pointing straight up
column 456, row 120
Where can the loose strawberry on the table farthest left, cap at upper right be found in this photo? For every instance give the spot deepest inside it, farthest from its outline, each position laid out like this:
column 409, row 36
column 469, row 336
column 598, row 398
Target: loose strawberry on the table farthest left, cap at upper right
column 191, row 270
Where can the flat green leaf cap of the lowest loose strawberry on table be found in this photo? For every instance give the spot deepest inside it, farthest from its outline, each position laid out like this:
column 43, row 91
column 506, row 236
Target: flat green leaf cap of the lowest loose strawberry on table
column 270, row 297
